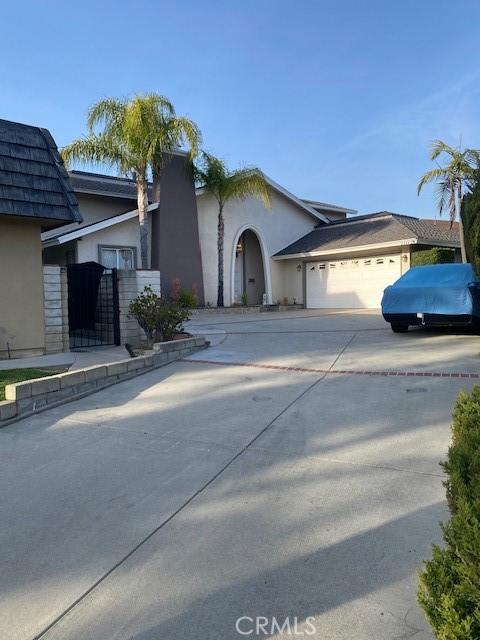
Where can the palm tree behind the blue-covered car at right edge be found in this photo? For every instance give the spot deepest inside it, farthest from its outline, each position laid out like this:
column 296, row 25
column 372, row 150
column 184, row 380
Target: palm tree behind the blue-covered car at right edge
column 453, row 179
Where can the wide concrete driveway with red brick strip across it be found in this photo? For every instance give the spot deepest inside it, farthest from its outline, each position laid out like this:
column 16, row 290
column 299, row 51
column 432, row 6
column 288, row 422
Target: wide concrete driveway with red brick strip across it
column 284, row 473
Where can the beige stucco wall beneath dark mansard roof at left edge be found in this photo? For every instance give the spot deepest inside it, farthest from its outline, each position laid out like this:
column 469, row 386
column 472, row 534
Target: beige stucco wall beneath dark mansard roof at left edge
column 21, row 288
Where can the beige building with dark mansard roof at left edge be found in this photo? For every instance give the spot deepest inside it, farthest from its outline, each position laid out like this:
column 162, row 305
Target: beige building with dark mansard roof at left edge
column 35, row 195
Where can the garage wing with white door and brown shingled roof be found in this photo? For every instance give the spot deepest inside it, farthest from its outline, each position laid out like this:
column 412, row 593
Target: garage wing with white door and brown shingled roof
column 348, row 263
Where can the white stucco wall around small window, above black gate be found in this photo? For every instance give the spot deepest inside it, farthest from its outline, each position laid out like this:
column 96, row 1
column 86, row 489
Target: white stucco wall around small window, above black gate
column 125, row 234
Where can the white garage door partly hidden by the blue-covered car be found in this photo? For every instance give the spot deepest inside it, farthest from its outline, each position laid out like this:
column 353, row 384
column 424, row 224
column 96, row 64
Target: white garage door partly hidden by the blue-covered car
column 350, row 284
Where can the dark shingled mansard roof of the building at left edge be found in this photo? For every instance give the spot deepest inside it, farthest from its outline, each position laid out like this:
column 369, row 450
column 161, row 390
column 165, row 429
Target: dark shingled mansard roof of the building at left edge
column 33, row 180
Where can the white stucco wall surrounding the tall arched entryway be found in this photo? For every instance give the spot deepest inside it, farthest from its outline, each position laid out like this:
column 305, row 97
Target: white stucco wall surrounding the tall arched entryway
column 278, row 227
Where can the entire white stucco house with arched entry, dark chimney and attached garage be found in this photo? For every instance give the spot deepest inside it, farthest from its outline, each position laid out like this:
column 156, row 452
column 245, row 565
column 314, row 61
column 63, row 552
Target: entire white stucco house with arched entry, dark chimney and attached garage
column 303, row 251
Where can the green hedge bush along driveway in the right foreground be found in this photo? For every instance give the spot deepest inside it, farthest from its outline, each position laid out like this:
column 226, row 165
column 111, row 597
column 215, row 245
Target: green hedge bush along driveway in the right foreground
column 449, row 585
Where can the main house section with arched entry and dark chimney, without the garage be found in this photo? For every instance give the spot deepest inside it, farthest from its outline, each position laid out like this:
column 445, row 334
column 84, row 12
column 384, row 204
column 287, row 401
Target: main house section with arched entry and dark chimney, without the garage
column 184, row 243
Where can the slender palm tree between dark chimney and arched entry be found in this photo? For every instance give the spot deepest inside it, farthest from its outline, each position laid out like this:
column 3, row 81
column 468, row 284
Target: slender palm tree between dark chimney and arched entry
column 224, row 185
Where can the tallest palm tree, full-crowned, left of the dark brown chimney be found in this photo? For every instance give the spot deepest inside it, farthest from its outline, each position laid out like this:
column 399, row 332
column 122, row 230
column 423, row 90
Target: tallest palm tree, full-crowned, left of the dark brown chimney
column 137, row 136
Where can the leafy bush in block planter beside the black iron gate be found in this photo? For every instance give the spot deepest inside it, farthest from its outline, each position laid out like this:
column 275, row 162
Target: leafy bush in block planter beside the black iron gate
column 161, row 319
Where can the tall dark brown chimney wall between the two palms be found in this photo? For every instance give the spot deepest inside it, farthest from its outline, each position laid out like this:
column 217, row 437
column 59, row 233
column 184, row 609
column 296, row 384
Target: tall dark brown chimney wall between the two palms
column 175, row 239
